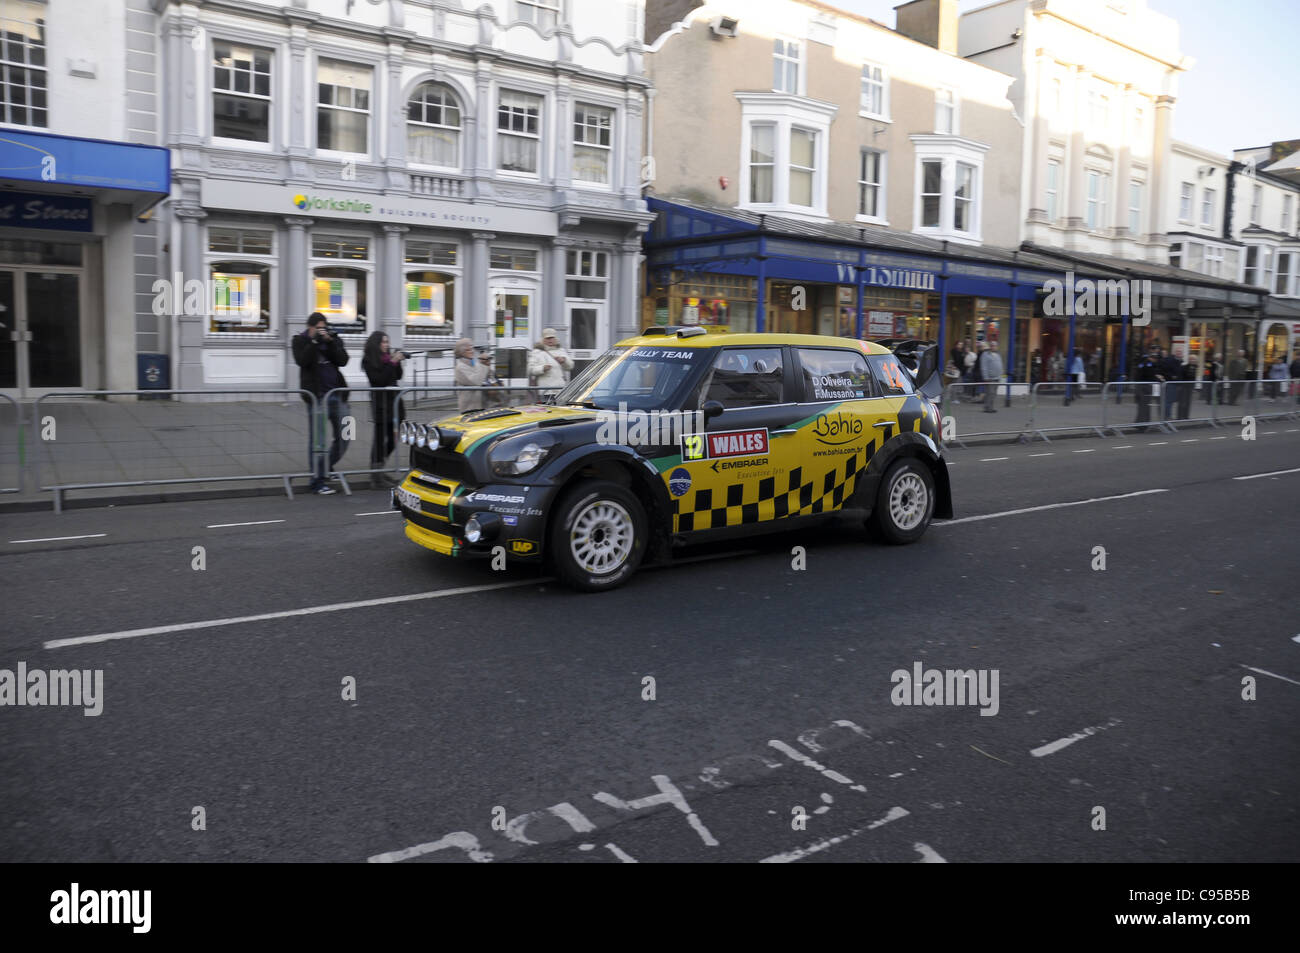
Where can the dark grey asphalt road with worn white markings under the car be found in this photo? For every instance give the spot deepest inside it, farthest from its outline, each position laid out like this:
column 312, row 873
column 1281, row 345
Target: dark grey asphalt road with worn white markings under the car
column 500, row 698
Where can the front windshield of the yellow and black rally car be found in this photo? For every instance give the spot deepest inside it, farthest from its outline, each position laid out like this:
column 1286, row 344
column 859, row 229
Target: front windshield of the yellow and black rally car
column 642, row 379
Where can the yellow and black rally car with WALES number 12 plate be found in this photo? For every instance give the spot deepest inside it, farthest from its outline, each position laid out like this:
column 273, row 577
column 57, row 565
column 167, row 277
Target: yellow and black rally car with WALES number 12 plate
column 678, row 437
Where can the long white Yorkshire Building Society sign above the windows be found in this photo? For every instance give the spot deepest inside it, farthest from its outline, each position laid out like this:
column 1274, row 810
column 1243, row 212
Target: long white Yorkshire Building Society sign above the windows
column 362, row 207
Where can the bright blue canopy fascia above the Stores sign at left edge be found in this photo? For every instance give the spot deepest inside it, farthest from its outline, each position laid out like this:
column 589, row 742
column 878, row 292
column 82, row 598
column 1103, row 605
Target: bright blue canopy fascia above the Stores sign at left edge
column 114, row 172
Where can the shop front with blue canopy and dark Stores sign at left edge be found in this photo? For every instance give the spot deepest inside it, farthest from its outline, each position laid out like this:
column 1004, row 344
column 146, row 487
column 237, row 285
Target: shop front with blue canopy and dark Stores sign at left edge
column 68, row 279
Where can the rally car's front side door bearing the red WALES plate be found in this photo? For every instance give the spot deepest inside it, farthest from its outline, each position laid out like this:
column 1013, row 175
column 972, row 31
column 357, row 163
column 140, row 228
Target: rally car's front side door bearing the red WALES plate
column 738, row 470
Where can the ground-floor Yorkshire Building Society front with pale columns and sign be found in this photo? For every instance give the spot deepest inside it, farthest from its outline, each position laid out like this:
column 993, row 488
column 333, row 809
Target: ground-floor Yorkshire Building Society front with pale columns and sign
column 426, row 272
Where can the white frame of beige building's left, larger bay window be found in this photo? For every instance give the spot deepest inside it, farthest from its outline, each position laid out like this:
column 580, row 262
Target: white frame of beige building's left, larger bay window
column 785, row 112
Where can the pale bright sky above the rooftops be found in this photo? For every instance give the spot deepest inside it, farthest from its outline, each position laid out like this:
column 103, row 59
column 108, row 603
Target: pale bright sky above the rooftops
column 1240, row 92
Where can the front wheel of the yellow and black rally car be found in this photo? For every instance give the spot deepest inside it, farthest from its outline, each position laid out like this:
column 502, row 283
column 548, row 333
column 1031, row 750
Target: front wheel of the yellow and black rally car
column 599, row 536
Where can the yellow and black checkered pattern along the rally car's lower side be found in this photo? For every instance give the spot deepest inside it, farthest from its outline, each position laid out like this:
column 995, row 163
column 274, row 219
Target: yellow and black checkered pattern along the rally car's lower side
column 759, row 501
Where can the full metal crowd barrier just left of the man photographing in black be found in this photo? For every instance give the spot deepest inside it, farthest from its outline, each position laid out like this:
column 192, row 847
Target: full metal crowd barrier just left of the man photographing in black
column 83, row 440
